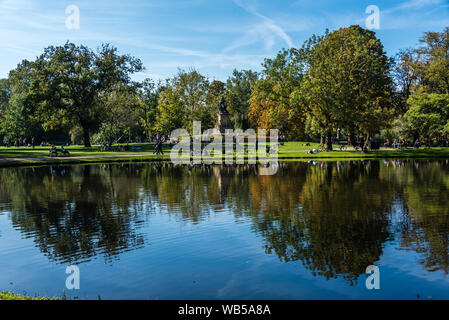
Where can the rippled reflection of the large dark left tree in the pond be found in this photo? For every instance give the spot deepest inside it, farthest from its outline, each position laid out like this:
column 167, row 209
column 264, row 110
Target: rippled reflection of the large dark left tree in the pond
column 74, row 214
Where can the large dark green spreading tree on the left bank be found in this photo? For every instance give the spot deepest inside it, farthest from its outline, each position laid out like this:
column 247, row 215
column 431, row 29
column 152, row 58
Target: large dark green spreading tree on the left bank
column 68, row 80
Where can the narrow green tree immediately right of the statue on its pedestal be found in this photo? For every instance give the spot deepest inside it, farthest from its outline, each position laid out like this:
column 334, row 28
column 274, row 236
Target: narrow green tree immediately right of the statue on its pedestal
column 238, row 93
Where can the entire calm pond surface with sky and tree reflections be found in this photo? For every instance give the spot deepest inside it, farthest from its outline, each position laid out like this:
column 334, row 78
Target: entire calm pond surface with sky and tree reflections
column 146, row 231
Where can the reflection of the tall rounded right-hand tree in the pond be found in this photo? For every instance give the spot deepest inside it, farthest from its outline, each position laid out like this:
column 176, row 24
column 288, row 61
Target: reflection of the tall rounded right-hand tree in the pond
column 336, row 220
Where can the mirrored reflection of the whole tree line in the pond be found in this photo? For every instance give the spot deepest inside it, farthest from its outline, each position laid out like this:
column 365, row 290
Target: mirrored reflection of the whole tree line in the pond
column 334, row 217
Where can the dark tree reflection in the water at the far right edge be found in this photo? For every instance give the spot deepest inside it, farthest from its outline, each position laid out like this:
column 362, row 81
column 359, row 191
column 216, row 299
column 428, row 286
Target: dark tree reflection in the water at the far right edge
column 425, row 229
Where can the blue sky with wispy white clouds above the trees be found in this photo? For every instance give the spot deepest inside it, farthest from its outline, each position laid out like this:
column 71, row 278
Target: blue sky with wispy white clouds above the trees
column 213, row 36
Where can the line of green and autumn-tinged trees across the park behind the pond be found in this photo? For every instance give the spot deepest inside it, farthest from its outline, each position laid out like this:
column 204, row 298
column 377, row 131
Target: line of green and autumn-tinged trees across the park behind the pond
column 339, row 85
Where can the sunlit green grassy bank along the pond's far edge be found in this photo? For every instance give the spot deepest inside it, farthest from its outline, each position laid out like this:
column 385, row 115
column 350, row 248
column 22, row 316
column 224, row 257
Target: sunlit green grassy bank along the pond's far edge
column 290, row 151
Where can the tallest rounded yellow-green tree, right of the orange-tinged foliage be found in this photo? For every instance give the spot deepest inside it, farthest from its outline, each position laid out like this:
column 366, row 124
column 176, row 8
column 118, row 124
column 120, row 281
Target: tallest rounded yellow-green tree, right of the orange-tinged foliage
column 348, row 83
